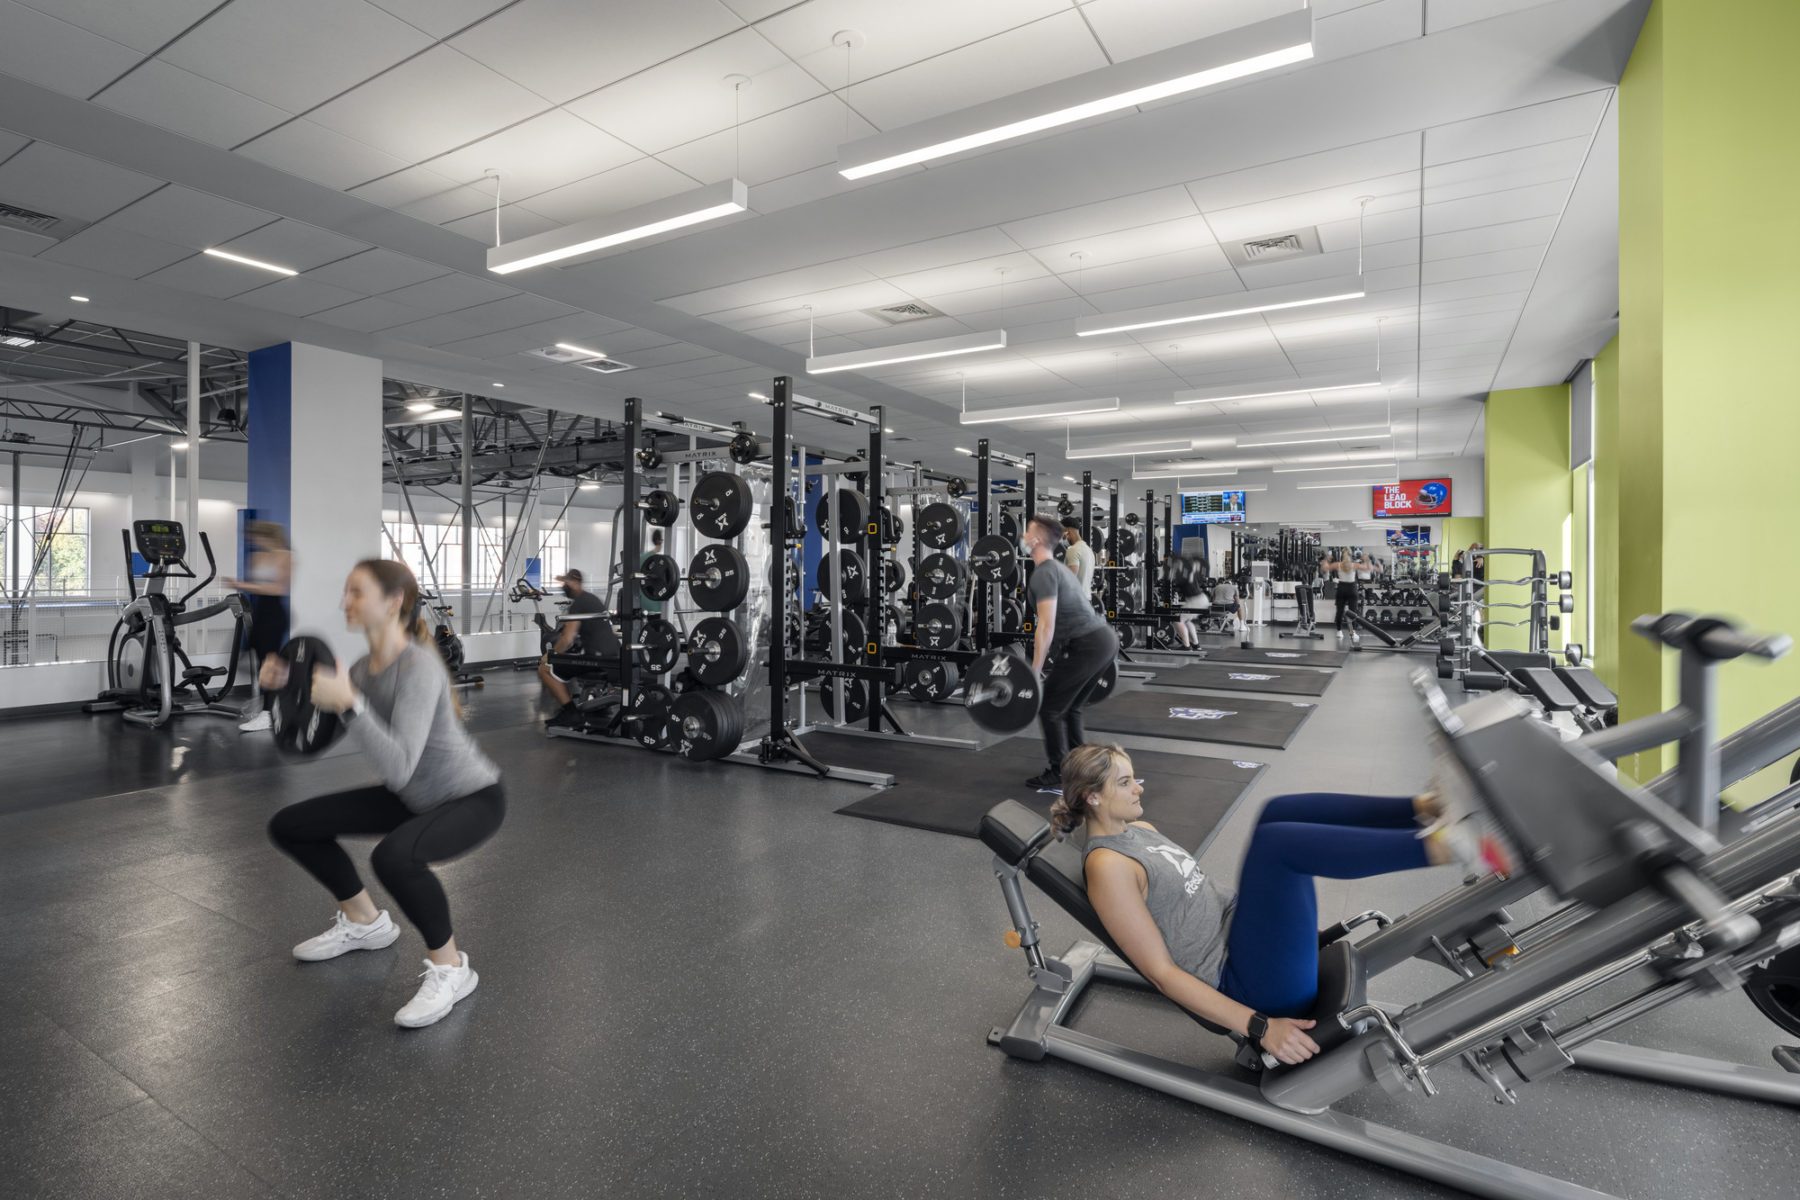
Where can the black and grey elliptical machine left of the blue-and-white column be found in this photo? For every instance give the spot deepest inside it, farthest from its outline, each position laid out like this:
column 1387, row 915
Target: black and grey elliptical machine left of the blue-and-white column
column 148, row 676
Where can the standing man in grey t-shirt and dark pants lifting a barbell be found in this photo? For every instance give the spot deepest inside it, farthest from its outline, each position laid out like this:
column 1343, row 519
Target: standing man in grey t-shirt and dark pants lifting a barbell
column 1079, row 638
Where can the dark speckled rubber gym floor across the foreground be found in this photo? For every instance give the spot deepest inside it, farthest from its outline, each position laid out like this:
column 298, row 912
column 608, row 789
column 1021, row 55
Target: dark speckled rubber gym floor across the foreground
column 697, row 981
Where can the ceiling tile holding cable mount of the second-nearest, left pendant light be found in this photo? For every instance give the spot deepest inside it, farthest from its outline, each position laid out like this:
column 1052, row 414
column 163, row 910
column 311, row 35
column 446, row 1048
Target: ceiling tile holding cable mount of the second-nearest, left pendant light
column 687, row 98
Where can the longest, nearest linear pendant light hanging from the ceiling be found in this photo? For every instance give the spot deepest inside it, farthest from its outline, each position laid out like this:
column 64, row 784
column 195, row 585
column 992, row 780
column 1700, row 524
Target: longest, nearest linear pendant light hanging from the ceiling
column 1234, row 55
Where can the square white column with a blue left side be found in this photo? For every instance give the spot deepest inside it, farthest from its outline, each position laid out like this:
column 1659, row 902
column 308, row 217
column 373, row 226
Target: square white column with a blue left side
column 316, row 467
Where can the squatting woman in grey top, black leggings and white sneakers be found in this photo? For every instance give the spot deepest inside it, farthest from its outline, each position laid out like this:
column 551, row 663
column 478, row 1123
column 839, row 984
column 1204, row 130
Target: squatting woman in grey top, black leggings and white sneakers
column 440, row 794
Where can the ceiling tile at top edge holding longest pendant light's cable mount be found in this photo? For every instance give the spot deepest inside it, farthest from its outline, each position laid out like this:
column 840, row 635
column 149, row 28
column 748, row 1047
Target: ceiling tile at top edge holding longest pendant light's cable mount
column 895, row 33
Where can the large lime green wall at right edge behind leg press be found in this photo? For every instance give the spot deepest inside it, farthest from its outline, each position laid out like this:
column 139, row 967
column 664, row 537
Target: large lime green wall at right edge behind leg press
column 1707, row 418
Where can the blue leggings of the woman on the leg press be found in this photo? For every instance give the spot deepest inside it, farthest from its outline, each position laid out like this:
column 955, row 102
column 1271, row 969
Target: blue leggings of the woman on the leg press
column 1273, row 951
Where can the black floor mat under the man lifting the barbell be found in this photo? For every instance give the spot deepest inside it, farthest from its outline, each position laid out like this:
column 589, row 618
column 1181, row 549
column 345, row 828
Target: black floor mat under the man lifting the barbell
column 948, row 791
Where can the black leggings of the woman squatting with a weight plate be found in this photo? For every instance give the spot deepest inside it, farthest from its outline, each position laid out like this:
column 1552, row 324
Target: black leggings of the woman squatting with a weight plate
column 402, row 861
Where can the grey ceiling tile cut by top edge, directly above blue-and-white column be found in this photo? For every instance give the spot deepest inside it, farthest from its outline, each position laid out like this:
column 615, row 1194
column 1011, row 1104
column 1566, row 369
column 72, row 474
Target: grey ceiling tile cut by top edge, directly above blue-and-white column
column 296, row 55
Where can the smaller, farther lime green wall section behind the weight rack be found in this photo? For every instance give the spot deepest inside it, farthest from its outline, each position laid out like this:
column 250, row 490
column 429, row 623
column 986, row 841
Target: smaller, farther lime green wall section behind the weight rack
column 1527, row 506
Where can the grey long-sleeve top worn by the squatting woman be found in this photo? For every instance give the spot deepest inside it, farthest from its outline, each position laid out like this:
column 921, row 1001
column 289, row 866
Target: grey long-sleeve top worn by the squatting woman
column 413, row 735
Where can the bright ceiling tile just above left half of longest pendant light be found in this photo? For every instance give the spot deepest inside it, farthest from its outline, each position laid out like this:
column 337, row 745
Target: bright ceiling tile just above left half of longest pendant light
column 975, row 75
